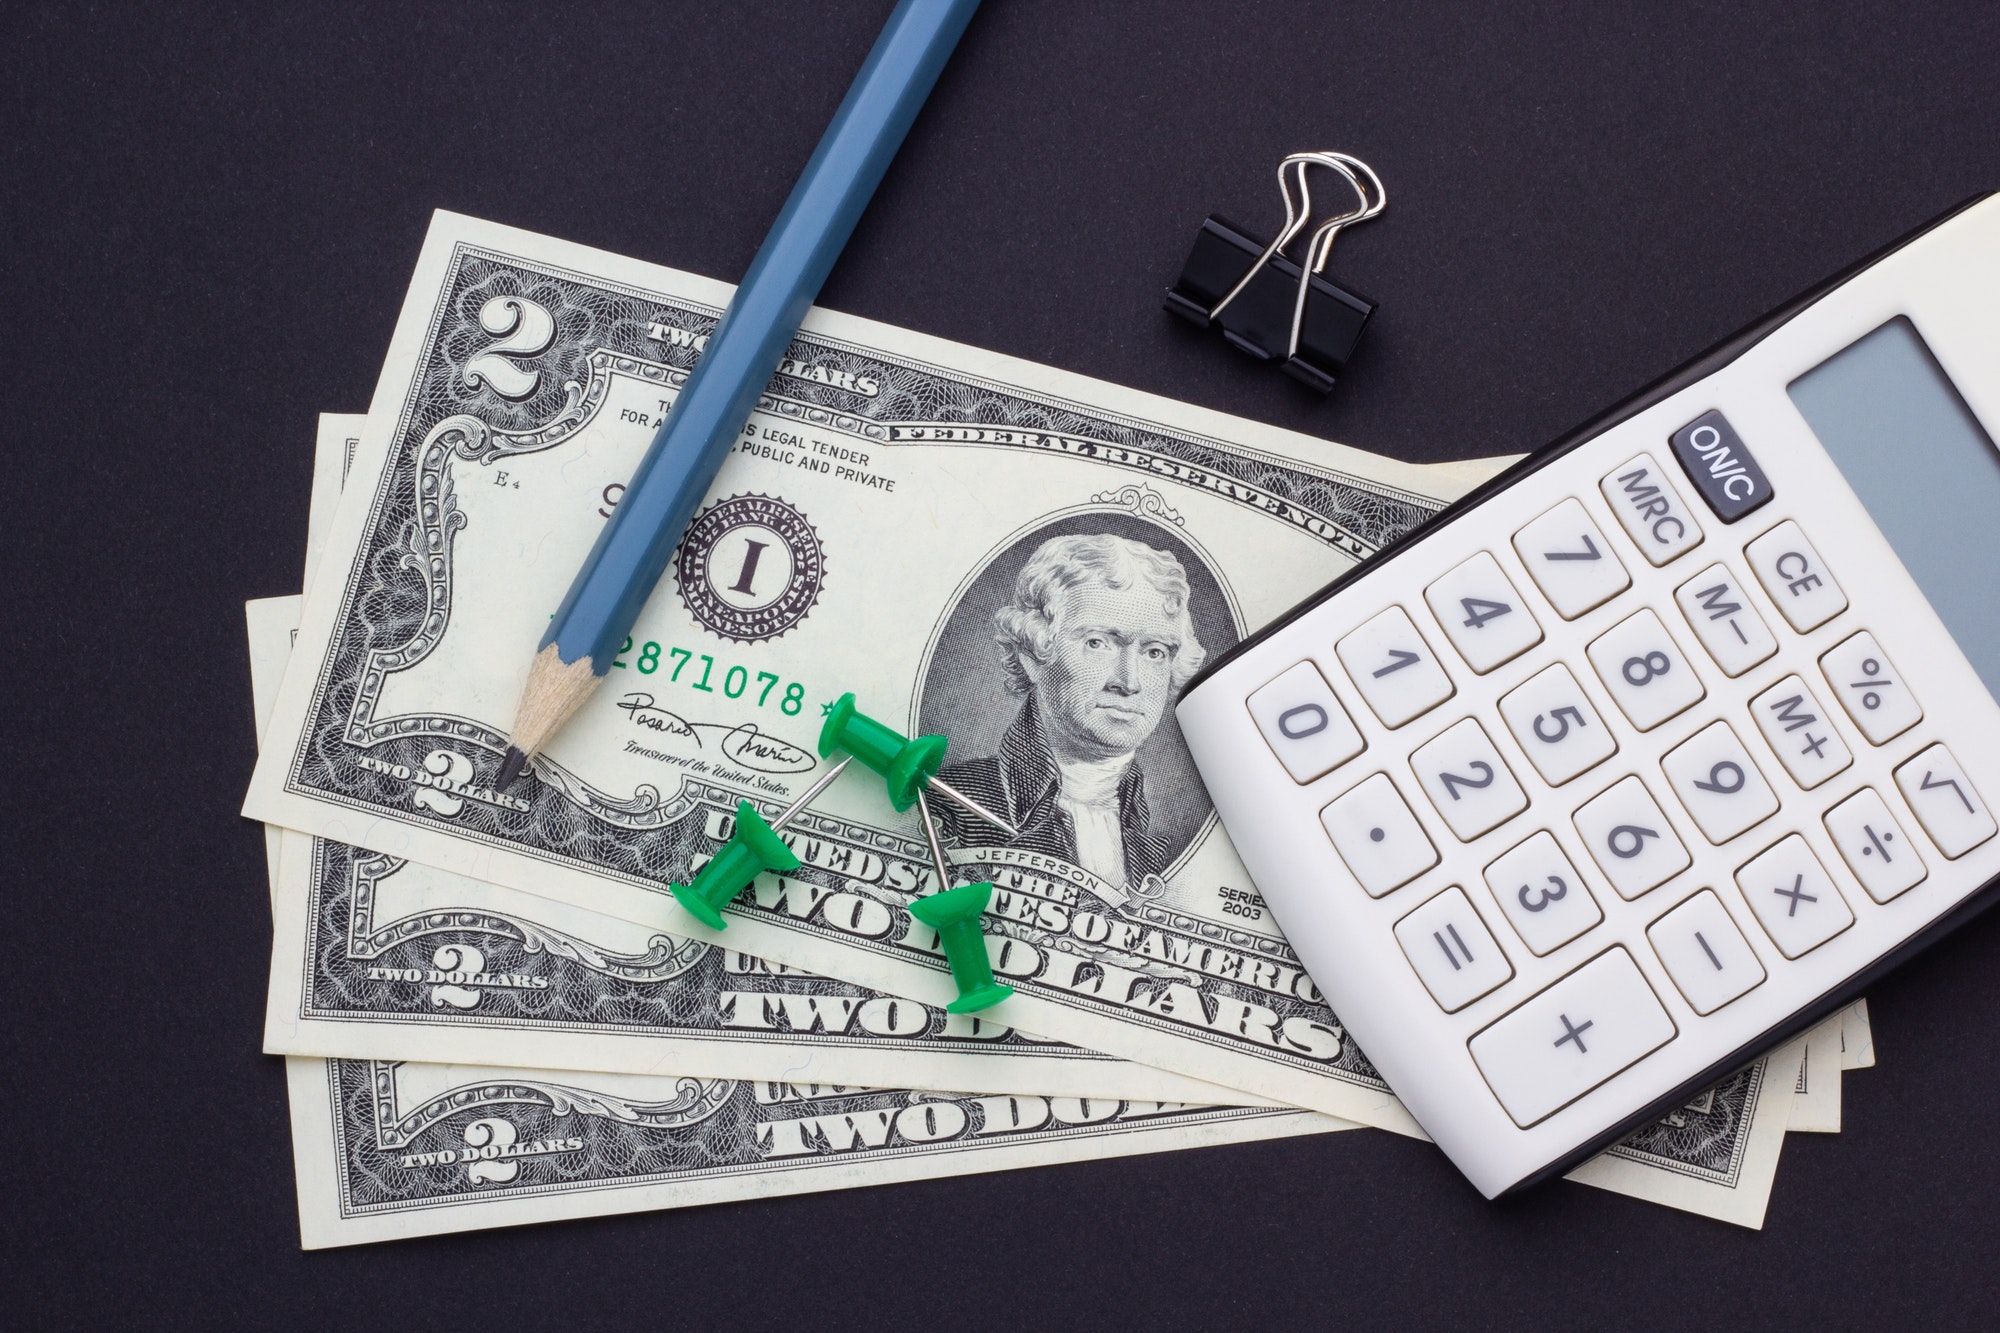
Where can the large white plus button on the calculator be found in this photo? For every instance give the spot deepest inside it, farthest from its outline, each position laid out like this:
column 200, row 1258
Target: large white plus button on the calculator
column 1571, row 1038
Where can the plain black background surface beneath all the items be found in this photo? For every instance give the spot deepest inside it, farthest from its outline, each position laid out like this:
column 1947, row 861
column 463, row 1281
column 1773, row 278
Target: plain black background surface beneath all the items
column 209, row 219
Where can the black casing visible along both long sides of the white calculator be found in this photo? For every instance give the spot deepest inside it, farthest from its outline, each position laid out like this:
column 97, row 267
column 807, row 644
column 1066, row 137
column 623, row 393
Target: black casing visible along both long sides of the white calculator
column 1697, row 369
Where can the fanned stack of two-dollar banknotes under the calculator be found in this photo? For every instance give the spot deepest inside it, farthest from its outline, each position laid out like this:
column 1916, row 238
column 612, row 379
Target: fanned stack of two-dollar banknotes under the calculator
column 491, row 1008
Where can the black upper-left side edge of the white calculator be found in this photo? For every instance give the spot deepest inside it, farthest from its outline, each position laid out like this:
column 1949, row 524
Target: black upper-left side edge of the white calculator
column 1665, row 387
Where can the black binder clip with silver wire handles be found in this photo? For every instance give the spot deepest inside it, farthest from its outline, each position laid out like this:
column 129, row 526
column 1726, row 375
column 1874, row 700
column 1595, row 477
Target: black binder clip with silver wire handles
column 1263, row 301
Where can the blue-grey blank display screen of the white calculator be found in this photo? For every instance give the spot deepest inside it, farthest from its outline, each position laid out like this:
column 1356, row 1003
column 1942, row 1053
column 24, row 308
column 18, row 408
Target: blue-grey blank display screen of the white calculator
column 1925, row 469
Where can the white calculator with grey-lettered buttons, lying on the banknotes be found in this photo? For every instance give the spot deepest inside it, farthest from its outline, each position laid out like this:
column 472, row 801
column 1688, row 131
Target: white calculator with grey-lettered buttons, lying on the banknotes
column 1663, row 746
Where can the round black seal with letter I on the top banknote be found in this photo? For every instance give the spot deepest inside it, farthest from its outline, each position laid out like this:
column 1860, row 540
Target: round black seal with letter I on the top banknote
column 751, row 567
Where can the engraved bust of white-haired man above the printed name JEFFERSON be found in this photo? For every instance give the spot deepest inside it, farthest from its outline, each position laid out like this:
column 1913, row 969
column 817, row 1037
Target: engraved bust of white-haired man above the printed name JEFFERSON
column 1097, row 641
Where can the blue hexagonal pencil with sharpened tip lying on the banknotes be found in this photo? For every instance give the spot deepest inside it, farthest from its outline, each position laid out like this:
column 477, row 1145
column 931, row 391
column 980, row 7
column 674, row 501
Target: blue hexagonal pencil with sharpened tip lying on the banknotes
column 743, row 353
